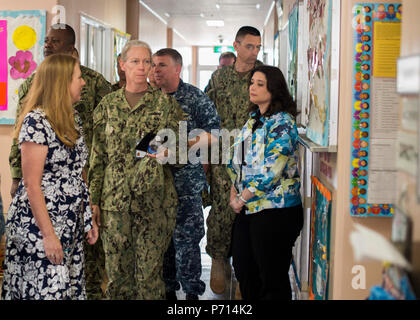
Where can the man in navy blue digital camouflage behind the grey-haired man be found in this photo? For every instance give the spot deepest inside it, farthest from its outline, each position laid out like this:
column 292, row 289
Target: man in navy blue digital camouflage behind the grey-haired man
column 183, row 258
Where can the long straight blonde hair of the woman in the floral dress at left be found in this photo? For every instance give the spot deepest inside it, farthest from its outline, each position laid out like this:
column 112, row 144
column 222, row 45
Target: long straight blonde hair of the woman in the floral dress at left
column 50, row 91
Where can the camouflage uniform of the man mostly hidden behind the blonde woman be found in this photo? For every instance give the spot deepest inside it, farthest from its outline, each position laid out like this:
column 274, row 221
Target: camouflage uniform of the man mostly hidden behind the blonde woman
column 92, row 93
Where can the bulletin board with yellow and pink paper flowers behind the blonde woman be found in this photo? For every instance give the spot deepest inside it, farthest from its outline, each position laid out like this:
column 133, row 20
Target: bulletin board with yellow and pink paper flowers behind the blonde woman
column 22, row 36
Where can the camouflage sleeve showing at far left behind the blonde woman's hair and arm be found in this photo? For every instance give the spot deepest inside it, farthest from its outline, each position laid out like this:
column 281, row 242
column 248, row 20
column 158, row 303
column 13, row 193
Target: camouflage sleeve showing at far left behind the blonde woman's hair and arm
column 14, row 156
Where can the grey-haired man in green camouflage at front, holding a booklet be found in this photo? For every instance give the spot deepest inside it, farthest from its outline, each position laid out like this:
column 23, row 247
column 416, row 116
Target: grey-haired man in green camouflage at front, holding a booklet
column 136, row 195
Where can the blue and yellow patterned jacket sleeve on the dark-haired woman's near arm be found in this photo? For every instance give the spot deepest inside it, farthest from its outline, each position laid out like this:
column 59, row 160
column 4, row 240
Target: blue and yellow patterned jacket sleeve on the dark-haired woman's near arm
column 279, row 146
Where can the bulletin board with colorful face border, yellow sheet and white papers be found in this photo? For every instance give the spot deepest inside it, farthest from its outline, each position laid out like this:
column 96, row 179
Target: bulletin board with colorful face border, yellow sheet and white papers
column 377, row 32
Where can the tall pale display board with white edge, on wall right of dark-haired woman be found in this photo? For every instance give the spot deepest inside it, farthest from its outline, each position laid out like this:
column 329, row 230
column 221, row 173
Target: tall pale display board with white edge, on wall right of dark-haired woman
column 323, row 62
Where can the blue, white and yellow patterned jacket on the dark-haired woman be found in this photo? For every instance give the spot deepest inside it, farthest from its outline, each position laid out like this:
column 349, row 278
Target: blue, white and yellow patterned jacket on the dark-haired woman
column 269, row 167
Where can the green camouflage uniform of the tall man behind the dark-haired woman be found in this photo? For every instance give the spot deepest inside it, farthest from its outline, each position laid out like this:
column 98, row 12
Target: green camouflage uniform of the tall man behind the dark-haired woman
column 229, row 92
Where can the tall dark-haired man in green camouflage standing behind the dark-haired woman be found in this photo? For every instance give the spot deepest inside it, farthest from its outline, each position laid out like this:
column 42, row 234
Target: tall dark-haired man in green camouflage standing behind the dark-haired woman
column 228, row 88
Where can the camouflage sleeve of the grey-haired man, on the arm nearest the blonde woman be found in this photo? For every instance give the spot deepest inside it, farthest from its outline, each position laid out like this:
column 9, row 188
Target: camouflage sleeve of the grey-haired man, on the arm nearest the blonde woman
column 98, row 156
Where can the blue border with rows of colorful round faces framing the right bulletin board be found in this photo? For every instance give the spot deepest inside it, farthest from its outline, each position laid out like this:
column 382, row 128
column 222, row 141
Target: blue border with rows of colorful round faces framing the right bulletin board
column 363, row 19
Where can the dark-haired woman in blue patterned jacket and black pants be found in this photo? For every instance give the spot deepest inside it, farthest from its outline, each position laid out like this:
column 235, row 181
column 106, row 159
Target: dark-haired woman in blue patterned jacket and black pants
column 265, row 190
